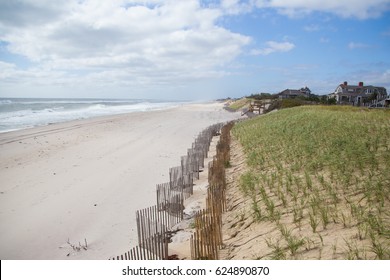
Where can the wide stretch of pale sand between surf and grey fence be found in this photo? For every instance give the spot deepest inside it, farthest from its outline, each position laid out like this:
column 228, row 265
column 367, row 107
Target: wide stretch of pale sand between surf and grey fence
column 85, row 179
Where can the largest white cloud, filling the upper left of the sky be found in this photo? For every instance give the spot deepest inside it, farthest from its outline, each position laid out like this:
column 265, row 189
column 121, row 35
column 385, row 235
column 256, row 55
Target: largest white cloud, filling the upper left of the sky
column 118, row 42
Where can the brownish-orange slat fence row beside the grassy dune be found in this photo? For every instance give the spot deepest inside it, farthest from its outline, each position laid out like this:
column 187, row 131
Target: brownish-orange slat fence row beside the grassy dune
column 207, row 239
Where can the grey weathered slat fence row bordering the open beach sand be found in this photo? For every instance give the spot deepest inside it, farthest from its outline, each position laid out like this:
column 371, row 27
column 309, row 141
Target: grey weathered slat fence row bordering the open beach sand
column 154, row 223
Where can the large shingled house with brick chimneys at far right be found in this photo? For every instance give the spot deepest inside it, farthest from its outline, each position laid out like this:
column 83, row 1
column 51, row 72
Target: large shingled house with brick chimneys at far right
column 359, row 95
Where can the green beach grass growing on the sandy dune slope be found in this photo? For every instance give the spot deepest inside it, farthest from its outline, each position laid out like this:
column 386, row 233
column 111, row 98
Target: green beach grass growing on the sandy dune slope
column 320, row 171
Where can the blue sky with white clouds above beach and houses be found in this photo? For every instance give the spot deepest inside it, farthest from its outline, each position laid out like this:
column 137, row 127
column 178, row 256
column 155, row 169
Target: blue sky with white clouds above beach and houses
column 188, row 49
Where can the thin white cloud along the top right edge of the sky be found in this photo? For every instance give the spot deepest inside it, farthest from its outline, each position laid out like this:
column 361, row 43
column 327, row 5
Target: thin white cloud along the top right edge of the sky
column 361, row 9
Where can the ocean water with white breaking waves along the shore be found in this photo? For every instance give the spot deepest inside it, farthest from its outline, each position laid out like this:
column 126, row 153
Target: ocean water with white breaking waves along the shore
column 21, row 113
